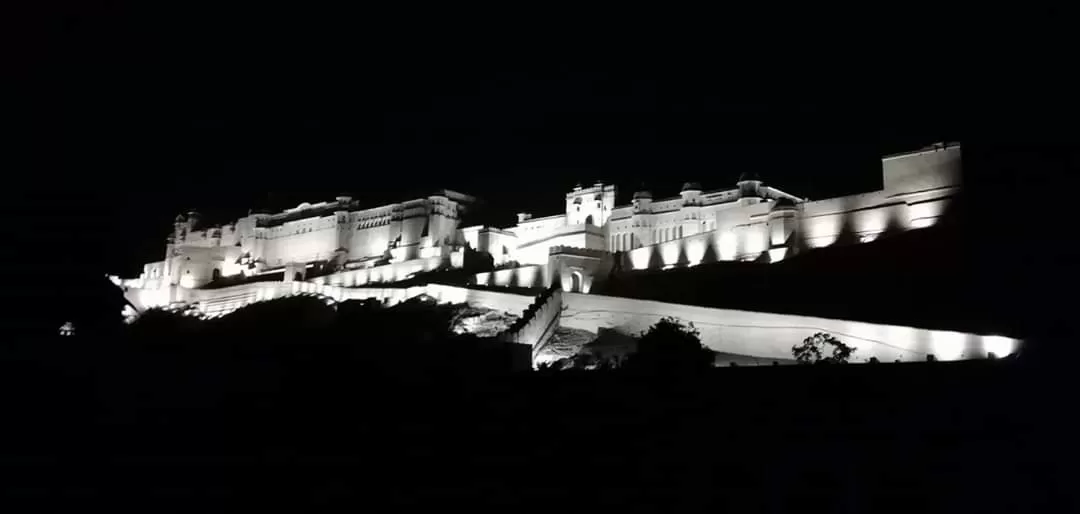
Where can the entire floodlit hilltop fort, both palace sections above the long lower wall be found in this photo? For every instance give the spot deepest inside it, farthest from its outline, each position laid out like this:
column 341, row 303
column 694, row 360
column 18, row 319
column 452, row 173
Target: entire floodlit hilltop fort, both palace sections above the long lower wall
column 343, row 250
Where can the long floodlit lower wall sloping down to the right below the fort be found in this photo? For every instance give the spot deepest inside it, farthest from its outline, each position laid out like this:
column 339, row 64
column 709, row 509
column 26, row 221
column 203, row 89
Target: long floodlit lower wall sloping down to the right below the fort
column 763, row 335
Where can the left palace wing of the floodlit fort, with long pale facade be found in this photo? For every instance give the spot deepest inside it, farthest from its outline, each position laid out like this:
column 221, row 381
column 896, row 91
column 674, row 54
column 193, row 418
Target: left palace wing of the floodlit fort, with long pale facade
column 423, row 234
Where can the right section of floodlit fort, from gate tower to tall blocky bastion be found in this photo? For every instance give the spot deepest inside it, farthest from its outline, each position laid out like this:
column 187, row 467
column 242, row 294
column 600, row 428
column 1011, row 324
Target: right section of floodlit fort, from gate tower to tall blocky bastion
column 749, row 222
